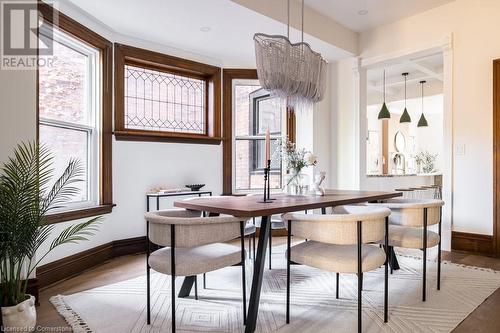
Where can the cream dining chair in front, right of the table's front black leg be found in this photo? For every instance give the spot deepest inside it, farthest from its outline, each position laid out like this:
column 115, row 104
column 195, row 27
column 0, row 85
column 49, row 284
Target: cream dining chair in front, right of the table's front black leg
column 340, row 243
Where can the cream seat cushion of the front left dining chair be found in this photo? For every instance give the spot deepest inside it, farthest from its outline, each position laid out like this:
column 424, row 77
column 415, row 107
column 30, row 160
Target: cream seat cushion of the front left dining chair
column 196, row 260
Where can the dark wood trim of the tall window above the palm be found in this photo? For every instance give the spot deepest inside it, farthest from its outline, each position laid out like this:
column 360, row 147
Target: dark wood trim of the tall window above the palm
column 105, row 47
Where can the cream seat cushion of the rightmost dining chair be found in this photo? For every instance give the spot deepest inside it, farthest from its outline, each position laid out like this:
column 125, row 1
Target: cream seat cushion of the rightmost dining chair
column 411, row 238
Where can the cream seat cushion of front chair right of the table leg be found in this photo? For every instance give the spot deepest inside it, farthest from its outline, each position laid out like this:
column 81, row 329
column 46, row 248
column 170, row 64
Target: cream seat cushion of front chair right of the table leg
column 337, row 258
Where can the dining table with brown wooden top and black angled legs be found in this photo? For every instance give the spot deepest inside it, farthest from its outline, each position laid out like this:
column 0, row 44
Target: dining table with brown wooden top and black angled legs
column 253, row 206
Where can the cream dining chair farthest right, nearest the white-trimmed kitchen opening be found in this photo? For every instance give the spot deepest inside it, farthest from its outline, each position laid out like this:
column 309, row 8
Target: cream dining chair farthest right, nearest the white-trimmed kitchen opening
column 408, row 228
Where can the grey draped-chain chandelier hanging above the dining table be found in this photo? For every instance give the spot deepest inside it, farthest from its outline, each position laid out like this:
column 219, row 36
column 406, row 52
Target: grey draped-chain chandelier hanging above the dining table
column 291, row 71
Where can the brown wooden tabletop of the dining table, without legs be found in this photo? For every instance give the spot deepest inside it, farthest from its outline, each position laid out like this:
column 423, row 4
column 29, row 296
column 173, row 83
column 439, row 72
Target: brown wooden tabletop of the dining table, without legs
column 249, row 206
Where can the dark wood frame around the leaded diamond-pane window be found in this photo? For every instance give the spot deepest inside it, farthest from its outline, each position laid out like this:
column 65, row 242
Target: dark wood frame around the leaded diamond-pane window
column 128, row 55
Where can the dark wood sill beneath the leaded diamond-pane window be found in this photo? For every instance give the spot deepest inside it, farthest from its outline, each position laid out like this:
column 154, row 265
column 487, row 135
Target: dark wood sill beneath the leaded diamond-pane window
column 135, row 135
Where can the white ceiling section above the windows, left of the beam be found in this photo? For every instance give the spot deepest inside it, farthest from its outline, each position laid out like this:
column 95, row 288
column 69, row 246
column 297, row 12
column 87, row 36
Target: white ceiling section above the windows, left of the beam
column 178, row 24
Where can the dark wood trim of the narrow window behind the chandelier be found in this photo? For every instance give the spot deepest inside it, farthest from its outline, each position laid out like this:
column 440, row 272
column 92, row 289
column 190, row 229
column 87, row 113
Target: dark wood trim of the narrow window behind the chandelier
column 228, row 75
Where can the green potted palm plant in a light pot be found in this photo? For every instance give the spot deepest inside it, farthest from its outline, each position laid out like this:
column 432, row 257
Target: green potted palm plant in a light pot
column 27, row 194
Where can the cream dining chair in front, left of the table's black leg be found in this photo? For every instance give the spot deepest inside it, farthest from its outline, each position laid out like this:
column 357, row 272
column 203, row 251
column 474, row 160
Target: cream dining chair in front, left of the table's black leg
column 193, row 245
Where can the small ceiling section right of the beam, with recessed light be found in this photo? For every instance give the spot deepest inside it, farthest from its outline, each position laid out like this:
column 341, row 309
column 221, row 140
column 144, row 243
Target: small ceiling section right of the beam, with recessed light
column 379, row 11
